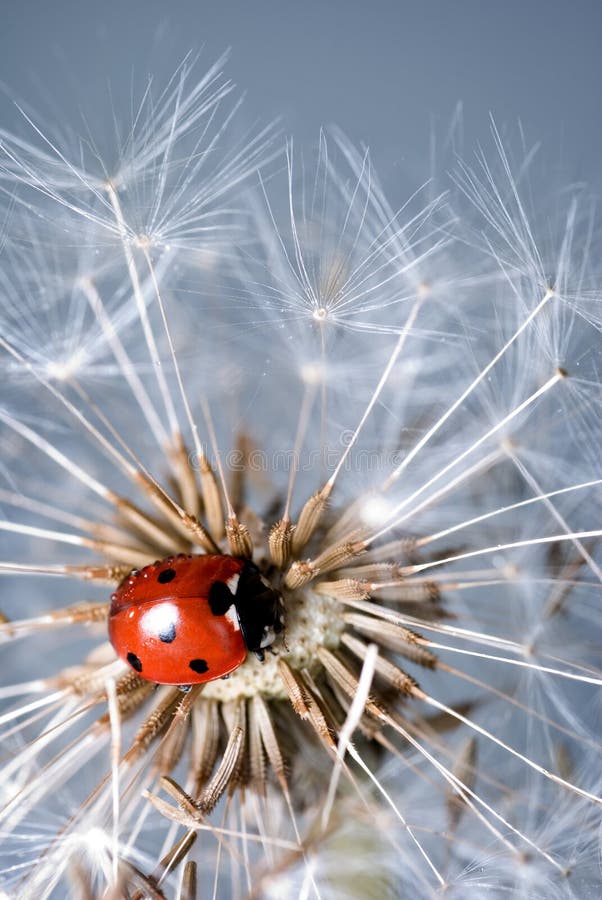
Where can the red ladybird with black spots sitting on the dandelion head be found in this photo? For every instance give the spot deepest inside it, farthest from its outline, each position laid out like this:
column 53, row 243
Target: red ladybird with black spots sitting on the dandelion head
column 190, row 619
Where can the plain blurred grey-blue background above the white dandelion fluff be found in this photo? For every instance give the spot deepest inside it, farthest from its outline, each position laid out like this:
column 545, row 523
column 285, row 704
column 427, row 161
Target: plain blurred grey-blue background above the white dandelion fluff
column 389, row 73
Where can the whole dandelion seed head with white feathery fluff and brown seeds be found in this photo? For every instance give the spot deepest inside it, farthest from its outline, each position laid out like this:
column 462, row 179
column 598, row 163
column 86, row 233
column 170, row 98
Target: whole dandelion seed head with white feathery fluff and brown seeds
column 387, row 421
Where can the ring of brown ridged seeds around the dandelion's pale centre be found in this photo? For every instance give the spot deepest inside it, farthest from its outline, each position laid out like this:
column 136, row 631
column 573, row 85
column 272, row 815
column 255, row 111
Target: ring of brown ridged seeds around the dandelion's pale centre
column 235, row 734
